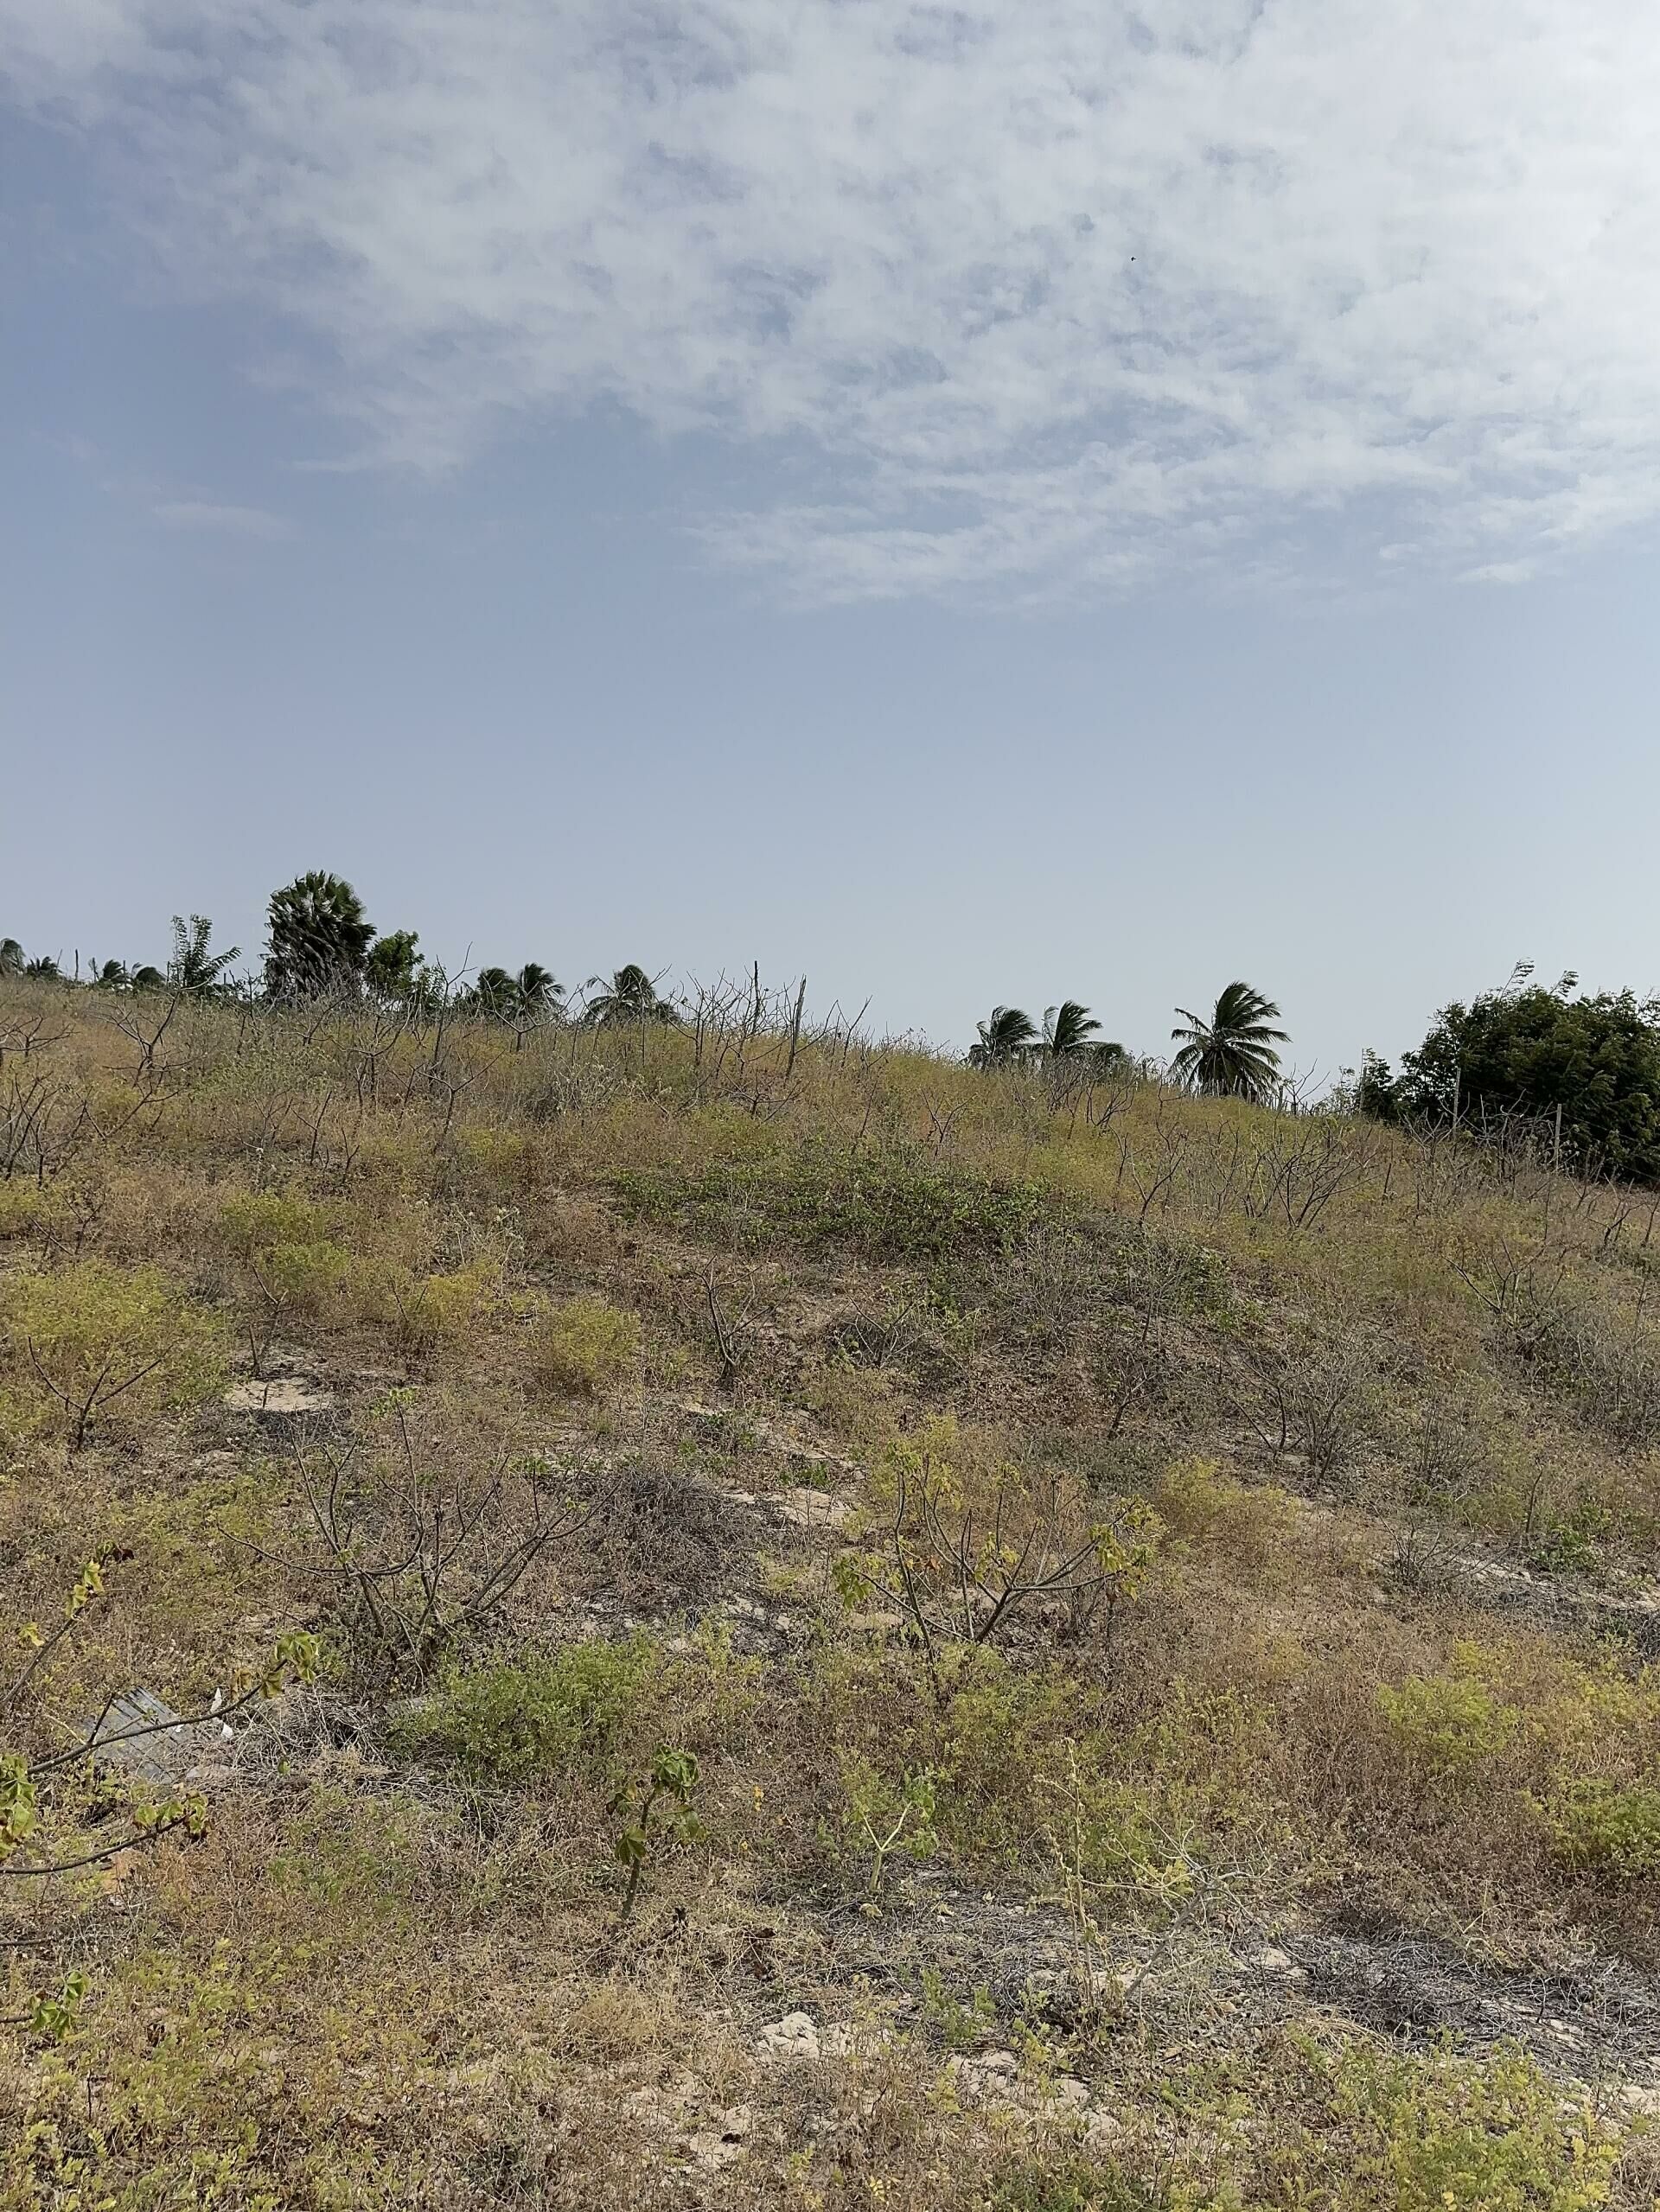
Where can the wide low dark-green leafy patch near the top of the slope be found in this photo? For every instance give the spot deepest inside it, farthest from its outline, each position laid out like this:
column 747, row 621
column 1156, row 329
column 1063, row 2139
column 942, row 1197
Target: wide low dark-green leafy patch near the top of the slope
column 895, row 1202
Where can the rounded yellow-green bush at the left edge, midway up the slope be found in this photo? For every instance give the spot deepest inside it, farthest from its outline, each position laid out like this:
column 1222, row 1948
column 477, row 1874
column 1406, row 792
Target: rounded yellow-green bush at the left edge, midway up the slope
column 103, row 1344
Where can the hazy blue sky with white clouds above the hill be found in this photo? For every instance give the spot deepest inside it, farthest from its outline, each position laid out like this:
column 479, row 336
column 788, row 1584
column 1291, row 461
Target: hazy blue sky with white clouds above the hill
column 959, row 503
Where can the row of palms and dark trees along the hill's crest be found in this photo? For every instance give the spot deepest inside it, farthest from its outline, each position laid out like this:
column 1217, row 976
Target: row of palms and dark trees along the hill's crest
column 1579, row 1074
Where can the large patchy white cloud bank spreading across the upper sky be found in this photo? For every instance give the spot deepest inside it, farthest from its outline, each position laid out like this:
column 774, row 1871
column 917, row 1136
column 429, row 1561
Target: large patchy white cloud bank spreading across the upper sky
column 1010, row 298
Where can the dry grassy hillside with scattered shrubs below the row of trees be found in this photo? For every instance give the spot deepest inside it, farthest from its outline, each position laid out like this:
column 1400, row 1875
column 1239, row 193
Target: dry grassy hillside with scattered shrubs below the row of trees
column 844, row 1631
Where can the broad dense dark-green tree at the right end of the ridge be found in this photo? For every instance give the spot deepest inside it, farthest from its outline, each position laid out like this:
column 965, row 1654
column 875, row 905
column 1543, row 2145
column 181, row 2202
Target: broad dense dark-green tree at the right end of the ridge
column 1533, row 1052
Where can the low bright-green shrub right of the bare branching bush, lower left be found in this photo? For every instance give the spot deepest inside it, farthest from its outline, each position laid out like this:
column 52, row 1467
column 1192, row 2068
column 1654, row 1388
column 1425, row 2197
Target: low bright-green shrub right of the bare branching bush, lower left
column 574, row 1709
